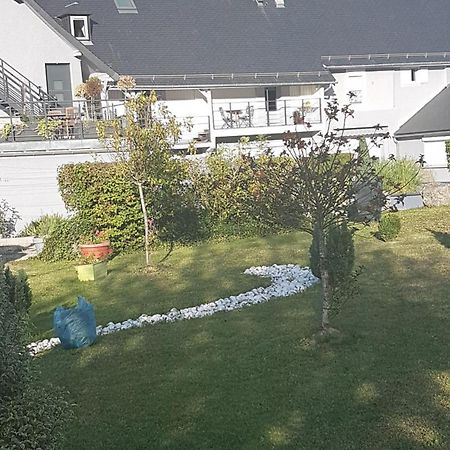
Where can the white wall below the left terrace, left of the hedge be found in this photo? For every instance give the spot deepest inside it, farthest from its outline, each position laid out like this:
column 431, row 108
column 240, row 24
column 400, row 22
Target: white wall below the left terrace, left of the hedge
column 29, row 183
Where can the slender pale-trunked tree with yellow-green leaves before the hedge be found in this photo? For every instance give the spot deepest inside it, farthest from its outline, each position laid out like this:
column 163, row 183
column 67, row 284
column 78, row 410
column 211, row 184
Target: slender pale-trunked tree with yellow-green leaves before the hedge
column 143, row 142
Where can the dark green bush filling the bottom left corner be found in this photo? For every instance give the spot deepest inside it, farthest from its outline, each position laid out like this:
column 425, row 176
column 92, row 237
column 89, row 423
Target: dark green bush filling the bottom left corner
column 32, row 416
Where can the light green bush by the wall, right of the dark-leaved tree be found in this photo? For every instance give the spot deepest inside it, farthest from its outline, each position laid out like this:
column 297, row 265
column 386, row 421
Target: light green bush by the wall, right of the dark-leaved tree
column 400, row 176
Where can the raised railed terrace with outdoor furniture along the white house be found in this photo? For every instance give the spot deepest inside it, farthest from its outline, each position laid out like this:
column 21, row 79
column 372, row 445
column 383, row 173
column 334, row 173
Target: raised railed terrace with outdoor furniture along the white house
column 54, row 126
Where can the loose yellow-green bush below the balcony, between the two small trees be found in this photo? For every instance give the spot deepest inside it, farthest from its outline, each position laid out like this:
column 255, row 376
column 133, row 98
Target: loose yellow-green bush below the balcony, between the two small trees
column 240, row 195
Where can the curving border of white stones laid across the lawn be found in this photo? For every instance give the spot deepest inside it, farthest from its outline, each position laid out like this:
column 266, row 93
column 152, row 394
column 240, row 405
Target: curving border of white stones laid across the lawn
column 286, row 280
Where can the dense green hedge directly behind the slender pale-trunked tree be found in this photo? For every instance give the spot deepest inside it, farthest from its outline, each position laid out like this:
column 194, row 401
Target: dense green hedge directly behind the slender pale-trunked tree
column 103, row 195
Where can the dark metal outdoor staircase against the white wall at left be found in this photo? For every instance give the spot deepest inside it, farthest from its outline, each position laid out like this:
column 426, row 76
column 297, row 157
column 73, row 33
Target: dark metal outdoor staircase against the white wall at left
column 19, row 95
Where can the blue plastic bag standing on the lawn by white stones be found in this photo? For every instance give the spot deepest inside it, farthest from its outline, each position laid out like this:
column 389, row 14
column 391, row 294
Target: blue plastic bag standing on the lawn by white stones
column 75, row 327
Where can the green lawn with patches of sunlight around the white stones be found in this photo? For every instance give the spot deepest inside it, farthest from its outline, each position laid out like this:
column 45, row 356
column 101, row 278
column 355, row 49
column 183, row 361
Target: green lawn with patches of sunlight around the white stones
column 253, row 378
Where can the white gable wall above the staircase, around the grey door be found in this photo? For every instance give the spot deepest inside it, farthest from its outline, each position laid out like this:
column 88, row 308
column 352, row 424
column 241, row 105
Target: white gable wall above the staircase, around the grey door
column 27, row 43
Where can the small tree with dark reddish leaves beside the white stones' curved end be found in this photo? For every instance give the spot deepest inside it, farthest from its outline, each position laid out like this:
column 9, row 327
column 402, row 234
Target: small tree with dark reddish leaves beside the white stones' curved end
column 322, row 189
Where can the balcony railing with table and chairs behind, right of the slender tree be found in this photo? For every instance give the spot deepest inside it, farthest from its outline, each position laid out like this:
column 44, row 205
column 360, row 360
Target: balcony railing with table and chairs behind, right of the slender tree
column 271, row 113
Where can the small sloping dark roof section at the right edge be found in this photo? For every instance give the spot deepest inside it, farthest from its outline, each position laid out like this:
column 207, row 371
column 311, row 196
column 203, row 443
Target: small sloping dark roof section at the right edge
column 432, row 120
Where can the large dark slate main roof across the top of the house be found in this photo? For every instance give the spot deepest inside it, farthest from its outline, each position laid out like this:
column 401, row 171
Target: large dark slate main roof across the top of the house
column 178, row 37
